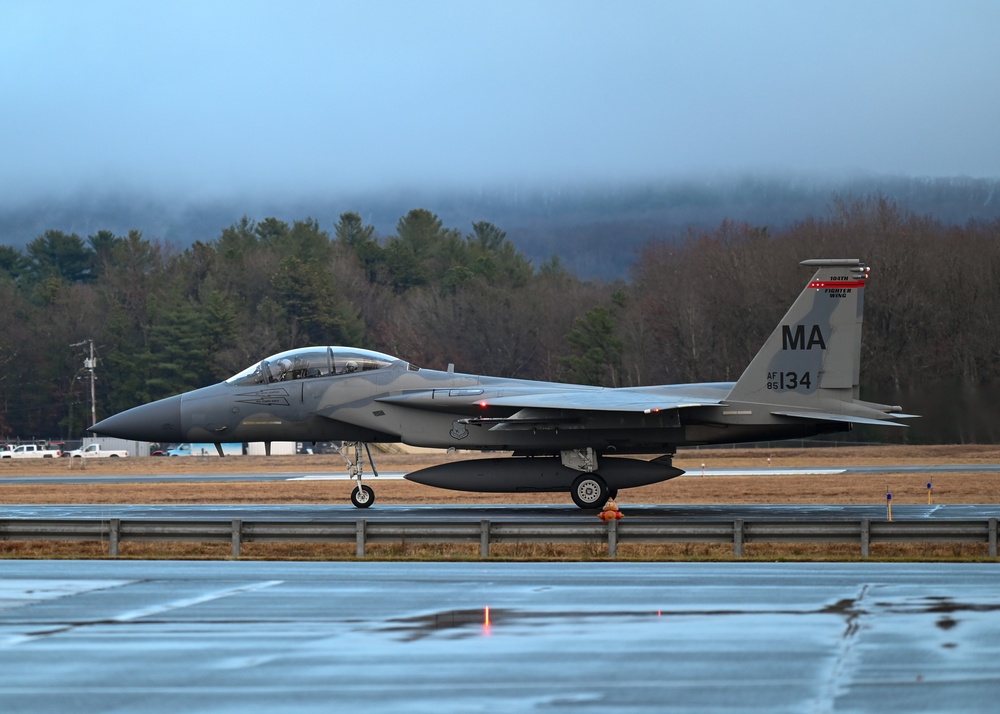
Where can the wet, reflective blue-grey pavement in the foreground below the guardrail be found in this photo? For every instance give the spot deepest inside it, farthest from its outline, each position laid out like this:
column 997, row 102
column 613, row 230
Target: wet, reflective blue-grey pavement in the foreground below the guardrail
column 126, row 636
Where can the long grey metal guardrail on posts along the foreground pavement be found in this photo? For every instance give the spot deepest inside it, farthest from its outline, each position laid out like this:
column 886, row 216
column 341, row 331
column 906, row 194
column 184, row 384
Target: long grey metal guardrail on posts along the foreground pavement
column 362, row 532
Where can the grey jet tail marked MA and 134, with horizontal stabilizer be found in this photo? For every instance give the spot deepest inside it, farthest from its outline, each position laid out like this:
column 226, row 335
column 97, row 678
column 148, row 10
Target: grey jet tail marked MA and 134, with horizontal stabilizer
column 809, row 367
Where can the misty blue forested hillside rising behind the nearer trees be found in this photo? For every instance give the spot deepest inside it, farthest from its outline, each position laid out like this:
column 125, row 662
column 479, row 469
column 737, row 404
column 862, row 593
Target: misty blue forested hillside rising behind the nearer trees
column 596, row 231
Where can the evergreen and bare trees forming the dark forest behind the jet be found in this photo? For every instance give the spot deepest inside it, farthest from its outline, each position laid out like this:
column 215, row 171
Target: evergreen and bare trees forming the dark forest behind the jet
column 696, row 308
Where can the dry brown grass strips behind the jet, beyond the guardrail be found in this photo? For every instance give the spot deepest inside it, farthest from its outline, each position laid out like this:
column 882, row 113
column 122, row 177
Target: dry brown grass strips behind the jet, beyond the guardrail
column 690, row 488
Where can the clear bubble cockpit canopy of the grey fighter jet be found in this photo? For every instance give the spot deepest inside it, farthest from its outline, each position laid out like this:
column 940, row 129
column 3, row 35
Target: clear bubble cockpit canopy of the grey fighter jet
column 308, row 362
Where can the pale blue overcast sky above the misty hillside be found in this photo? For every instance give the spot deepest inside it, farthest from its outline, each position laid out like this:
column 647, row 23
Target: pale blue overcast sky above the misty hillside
column 220, row 98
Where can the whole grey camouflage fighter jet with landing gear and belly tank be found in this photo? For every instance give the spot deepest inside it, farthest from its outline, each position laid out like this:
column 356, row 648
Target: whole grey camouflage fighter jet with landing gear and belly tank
column 562, row 437
